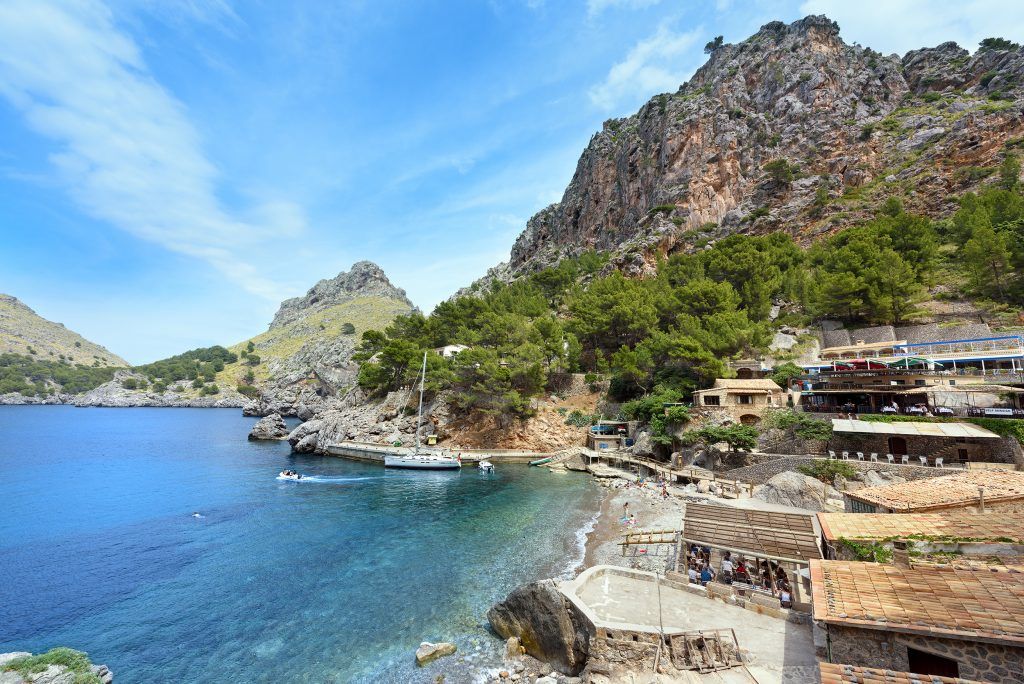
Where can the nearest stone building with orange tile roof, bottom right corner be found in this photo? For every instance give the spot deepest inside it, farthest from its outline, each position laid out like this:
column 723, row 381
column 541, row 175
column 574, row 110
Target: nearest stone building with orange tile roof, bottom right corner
column 930, row 621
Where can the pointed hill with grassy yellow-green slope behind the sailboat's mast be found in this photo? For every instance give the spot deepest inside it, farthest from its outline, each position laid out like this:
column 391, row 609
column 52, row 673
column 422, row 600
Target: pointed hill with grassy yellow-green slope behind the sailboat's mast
column 306, row 356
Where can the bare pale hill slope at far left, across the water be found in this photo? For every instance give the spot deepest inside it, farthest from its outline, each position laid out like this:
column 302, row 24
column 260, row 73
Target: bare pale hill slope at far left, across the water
column 25, row 332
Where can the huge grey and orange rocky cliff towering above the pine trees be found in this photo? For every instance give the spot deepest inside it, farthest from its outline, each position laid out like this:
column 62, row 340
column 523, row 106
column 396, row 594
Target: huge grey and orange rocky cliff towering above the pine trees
column 792, row 130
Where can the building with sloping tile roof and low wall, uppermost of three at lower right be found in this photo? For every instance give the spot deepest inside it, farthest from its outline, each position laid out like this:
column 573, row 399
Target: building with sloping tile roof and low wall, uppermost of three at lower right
column 974, row 491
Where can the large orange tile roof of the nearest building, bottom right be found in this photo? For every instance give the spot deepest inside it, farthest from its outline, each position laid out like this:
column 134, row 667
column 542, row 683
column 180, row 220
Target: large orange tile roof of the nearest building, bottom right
column 962, row 605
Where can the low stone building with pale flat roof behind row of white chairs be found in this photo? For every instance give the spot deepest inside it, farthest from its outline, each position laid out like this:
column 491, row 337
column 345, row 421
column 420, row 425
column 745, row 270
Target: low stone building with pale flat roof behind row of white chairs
column 953, row 442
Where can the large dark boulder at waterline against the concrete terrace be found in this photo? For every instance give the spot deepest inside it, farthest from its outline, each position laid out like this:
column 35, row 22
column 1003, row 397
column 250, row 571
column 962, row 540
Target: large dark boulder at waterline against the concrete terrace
column 547, row 625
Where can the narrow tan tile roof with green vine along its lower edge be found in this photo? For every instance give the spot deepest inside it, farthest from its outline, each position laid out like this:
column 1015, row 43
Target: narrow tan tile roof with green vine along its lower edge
column 957, row 525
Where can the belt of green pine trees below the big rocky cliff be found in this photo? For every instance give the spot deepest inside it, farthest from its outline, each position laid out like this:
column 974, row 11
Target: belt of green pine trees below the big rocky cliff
column 660, row 338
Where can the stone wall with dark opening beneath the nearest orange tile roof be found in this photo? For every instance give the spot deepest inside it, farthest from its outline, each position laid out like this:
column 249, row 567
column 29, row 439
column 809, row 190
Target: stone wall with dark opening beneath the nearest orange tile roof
column 876, row 649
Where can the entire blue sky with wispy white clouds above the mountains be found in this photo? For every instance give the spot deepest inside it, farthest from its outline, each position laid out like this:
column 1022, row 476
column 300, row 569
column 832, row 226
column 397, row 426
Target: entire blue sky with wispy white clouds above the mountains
column 172, row 170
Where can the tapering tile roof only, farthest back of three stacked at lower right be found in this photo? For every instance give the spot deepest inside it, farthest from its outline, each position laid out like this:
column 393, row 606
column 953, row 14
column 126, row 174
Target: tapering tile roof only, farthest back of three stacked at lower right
column 948, row 492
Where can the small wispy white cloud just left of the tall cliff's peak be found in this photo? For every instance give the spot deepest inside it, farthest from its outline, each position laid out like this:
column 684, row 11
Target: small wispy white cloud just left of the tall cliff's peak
column 653, row 66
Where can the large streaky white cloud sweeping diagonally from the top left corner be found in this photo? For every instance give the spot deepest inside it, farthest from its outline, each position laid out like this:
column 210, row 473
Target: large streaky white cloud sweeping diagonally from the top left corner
column 129, row 153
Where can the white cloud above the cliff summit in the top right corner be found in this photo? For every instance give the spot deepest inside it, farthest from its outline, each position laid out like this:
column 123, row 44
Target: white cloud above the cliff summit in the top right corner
column 899, row 26
